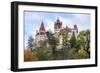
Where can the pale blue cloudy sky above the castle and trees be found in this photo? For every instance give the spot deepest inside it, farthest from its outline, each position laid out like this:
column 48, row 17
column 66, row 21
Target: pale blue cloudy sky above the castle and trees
column 33, row 19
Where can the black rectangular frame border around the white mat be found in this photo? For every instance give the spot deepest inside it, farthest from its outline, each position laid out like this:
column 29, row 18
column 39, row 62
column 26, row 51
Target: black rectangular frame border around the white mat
column 14, row 35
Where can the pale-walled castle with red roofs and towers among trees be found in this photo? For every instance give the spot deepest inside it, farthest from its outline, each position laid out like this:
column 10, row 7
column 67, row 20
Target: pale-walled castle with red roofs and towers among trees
column 41, row 37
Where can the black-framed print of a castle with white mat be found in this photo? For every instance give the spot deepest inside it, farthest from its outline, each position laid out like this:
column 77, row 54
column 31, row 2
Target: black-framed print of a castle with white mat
column 52, row 36
